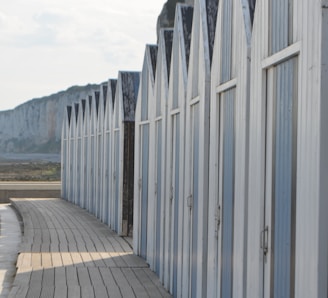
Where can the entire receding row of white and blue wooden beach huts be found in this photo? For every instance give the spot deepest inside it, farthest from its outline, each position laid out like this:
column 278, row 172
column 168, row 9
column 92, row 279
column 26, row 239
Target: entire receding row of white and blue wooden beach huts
column 214, row 157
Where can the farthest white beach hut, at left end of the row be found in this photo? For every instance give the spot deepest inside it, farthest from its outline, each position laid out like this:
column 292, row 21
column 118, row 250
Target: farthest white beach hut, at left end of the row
column 65, row 152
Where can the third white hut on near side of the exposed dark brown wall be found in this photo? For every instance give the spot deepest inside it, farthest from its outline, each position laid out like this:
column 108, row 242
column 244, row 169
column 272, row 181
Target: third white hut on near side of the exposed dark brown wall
column 175, row 146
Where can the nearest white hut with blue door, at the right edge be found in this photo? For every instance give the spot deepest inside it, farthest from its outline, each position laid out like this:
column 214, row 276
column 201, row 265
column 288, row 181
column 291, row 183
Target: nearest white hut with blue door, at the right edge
column 287, row 212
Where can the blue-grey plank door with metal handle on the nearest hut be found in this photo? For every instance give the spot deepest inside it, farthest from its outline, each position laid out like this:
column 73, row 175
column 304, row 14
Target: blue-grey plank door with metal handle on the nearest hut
column 278, row 235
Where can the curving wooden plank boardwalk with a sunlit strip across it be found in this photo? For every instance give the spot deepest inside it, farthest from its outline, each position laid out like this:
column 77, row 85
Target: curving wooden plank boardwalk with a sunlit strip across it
column 66, row 252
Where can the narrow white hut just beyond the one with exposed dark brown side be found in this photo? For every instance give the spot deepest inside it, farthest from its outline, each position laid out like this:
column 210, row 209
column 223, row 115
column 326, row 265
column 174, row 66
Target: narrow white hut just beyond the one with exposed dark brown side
column 108, row 122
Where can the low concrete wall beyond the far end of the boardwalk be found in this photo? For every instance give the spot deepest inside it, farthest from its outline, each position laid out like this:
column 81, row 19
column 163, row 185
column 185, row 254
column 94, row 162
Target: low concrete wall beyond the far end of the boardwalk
column 29, row 190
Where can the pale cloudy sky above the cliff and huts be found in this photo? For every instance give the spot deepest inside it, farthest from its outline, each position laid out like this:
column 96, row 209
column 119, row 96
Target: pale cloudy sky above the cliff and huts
column 47, row 46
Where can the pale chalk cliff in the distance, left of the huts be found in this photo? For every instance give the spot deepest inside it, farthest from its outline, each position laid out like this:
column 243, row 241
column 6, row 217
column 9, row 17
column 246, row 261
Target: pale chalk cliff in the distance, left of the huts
column 35, row 126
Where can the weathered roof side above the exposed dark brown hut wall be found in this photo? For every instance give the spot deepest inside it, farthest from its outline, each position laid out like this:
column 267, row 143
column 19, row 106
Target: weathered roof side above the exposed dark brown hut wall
column 130, row 87
